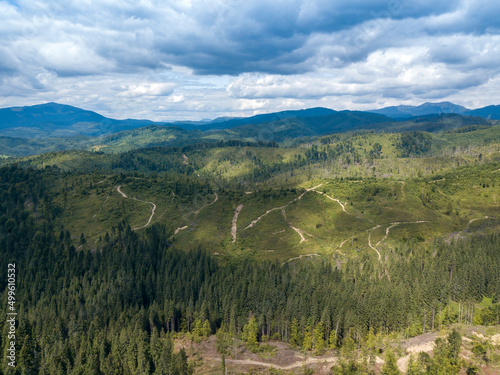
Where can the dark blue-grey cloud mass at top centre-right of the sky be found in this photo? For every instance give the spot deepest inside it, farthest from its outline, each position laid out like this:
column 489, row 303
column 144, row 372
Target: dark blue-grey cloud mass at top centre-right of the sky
column 272, row 36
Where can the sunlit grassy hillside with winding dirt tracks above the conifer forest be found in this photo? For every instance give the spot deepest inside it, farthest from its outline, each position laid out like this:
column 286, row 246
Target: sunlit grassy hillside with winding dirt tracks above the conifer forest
column 343, row 194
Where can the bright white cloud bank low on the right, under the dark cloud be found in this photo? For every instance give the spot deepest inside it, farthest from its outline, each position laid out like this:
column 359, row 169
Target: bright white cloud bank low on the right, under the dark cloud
column 392, row 73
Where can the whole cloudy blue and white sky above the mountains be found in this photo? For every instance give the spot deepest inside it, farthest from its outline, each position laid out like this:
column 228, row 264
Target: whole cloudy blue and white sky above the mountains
column 191, row 60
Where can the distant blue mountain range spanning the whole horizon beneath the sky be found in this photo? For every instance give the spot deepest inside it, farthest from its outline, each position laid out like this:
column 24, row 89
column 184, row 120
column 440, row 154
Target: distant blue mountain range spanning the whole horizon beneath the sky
column 58, row 120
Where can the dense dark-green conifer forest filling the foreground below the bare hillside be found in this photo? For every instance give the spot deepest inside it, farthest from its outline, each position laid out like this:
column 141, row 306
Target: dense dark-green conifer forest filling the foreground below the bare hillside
column 114, row 310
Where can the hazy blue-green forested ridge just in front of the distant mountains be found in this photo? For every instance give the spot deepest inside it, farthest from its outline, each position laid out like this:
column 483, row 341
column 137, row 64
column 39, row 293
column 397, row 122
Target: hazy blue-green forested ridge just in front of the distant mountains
column 288, row 131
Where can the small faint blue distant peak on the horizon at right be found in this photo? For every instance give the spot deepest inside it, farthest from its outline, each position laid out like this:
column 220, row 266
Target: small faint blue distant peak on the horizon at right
column 405, row 111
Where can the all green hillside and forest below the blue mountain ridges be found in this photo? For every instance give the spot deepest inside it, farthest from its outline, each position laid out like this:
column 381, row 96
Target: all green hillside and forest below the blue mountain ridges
column 333, row 243
